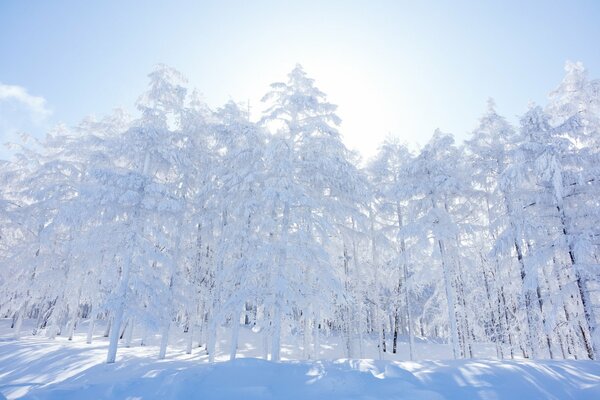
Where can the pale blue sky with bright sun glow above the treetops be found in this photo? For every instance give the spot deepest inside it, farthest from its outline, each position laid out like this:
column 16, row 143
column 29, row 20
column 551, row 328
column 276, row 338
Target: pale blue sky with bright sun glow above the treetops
column 399, row 67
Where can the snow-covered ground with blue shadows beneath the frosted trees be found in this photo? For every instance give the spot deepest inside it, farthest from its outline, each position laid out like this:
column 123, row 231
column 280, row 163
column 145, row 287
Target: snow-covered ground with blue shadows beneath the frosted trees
column 39, row 368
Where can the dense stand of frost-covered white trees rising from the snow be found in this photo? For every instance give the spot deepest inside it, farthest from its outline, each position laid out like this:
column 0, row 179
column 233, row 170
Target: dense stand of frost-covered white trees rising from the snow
column 184, row 217
